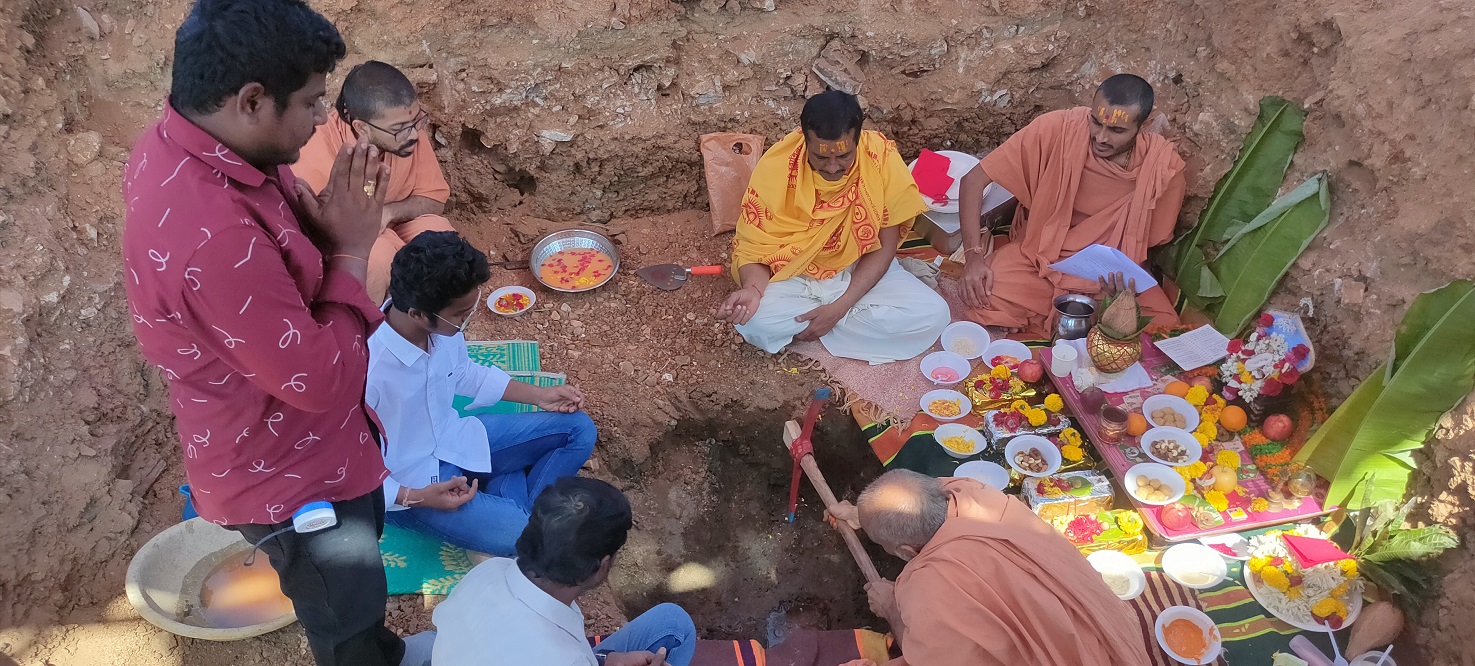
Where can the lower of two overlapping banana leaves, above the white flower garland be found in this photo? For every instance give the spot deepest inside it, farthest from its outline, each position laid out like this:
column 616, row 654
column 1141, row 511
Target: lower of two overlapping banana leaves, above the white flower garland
column 1260, row 253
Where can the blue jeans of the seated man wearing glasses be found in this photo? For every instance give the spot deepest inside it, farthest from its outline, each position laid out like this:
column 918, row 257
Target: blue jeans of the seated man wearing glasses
column 529, row 453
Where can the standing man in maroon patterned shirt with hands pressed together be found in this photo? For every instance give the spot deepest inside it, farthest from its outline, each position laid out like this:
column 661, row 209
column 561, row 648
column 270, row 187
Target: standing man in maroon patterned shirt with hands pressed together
column 249, row 294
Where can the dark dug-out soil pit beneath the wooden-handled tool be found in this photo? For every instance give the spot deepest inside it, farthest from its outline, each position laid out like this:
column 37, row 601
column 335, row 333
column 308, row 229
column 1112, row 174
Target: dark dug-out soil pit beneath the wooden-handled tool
column 713, row 533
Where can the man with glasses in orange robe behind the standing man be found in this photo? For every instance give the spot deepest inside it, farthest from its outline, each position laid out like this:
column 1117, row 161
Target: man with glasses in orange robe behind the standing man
column 380, row 102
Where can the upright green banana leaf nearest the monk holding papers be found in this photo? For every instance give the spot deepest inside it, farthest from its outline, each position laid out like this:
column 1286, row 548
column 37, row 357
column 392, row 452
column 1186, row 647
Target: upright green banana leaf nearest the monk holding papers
column 1250, row 185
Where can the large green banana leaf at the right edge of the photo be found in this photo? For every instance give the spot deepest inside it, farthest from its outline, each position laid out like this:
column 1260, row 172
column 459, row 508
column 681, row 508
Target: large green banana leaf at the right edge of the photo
column 1372, row 437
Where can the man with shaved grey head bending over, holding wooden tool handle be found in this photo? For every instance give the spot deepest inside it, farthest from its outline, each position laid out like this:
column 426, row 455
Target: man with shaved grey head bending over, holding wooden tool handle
column 988, row 583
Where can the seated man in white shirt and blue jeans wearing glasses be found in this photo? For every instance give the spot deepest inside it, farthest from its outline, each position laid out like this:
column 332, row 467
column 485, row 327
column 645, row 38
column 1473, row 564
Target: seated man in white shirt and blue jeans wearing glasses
column 418, row 365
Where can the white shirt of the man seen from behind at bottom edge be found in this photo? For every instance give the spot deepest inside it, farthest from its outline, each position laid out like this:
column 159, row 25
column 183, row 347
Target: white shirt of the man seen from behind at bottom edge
column 498, row 617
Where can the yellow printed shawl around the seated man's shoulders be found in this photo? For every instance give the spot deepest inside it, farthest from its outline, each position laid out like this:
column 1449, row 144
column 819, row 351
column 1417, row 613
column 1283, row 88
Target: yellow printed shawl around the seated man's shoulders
column 799, row 223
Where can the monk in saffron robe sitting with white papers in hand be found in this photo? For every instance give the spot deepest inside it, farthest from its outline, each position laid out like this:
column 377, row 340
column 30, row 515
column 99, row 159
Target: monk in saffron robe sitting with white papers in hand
column 1085, row 176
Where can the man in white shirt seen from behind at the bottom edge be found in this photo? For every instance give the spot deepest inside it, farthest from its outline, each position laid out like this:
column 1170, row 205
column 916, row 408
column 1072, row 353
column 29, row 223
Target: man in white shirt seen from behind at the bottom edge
column 524, row 611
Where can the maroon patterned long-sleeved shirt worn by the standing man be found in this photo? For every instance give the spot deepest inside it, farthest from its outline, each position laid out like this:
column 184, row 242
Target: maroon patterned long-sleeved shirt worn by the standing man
column 265, row 353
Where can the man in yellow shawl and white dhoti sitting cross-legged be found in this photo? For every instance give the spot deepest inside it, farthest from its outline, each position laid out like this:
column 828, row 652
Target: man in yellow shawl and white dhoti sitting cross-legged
column 815, row 254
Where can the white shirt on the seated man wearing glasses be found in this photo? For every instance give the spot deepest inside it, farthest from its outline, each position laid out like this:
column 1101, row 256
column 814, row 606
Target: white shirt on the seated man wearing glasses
column 412, row 391
